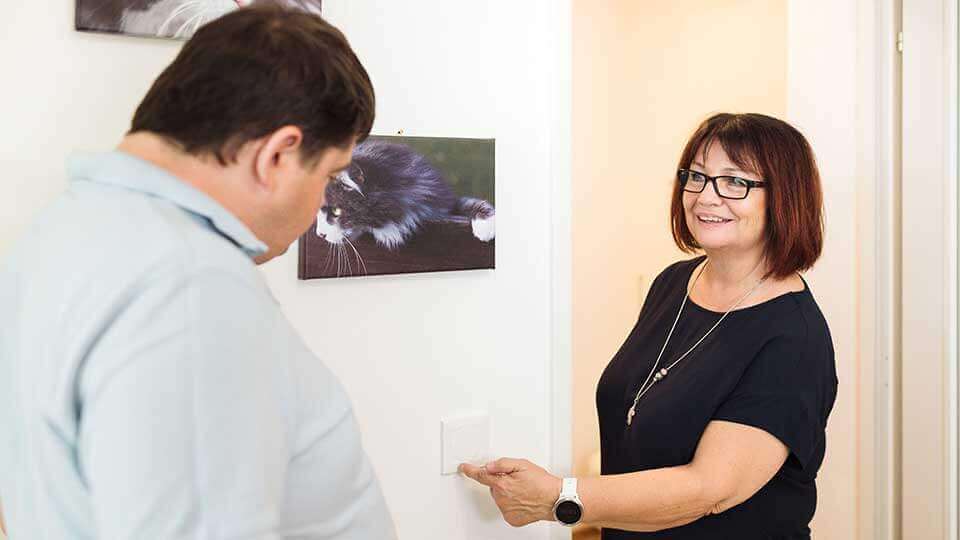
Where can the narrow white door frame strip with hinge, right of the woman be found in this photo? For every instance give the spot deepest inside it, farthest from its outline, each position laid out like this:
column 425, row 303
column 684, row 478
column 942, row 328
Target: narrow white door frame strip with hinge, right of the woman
column 878, row 165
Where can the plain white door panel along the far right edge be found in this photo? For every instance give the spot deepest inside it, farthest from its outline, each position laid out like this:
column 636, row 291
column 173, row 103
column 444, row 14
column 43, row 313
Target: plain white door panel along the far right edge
column 929, row 275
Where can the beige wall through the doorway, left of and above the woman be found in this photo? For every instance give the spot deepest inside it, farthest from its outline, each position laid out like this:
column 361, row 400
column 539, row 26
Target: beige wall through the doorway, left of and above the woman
column 644, row 75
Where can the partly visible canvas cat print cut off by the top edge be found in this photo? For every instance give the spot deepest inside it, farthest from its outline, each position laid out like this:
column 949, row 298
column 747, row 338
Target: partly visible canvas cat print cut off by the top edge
column 177, row 19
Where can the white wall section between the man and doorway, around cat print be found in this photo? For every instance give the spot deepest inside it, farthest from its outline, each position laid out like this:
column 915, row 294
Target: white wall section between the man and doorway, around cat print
column 411, row 348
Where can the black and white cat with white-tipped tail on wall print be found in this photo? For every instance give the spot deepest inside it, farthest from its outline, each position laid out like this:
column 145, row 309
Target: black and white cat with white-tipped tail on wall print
column 390, row 191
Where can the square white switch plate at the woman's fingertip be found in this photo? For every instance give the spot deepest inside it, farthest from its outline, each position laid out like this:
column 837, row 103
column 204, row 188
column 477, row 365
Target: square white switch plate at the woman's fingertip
column 465, row 438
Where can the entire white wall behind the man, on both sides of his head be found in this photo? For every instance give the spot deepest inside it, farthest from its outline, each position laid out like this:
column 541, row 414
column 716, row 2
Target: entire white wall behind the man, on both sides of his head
column 409, row 348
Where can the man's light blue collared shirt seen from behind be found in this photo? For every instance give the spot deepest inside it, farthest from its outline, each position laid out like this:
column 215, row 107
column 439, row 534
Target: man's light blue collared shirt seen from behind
column 151, row 388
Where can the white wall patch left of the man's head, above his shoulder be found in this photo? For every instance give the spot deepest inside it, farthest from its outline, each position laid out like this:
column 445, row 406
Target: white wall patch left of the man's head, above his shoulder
column 61, row 91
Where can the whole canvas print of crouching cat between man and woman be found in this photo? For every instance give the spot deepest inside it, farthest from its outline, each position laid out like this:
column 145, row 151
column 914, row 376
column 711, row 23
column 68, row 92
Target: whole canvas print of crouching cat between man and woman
column 406, row 205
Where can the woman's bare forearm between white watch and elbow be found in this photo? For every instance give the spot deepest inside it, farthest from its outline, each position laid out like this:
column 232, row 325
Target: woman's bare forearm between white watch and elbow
column 648, row 500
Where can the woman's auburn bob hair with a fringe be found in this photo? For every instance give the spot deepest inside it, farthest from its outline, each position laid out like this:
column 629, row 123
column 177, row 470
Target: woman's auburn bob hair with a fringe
column 782, row 158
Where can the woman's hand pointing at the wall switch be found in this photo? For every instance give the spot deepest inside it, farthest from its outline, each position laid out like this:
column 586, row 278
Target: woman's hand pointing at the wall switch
column 524, row 492
